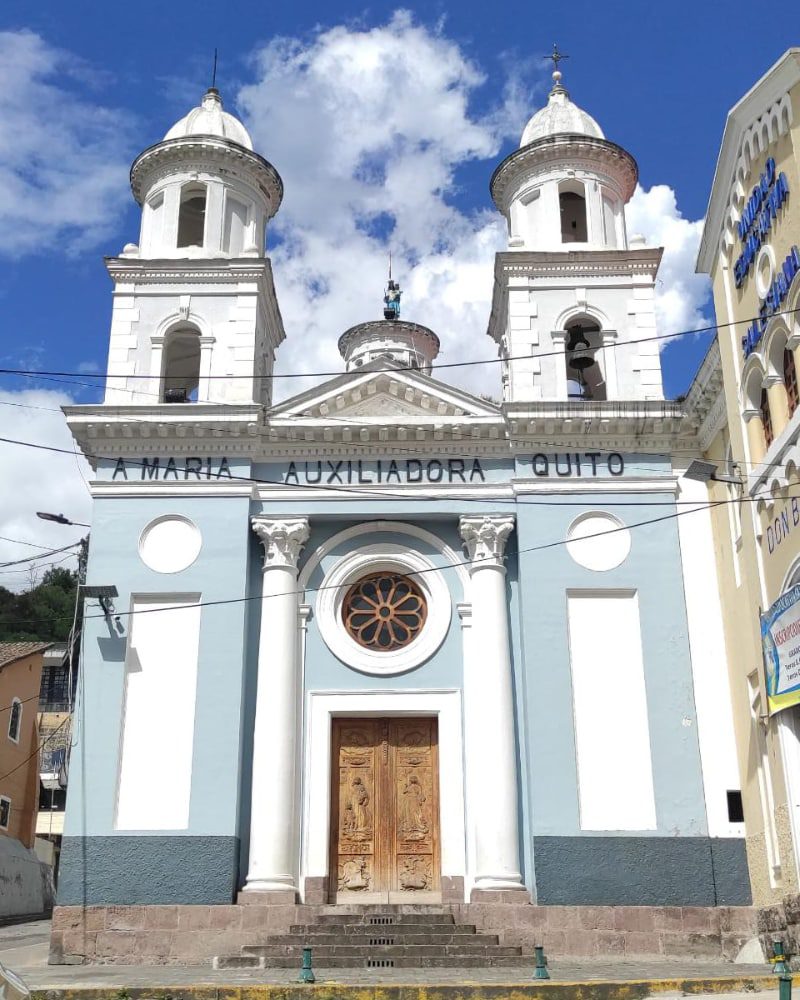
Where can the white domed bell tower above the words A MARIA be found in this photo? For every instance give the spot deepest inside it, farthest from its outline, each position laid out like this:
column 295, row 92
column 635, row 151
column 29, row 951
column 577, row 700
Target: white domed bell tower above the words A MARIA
column 195, row 310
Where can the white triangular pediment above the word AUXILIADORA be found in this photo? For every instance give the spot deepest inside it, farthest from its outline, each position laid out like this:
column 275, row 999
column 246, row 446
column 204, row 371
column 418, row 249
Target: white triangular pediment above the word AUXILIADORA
column 384, row 395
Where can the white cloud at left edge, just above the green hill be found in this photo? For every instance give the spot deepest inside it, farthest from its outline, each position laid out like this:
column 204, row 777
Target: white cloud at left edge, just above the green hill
column 38, row 480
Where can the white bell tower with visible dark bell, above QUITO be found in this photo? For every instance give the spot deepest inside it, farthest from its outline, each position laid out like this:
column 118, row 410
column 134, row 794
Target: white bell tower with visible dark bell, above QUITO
column 571, row 286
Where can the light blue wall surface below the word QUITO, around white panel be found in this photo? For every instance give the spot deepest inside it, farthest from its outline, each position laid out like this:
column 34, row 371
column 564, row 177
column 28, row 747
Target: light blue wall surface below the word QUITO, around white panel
column 653, row 570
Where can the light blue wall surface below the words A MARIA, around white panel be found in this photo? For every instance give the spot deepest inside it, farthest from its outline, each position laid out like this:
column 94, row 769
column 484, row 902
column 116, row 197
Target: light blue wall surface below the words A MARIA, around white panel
column 219, row 573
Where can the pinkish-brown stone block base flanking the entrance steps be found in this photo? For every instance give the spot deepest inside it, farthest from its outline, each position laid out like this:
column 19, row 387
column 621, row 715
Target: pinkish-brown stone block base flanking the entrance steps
column 192, row 935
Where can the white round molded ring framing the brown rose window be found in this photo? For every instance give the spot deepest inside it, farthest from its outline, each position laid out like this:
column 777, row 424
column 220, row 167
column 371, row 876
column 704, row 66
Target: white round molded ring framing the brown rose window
column 369, row 559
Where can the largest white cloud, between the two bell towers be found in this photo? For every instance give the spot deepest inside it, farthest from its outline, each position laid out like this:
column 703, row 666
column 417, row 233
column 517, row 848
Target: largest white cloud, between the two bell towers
column 368, row 129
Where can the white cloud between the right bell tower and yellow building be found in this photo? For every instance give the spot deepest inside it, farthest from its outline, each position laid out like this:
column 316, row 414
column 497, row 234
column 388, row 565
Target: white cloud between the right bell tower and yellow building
column 682, row 297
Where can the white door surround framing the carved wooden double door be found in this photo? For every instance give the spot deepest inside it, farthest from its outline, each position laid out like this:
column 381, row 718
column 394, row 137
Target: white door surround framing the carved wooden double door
column 322, row 706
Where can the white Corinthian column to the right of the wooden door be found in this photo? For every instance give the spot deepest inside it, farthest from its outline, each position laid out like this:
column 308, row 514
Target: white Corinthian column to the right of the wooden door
column 488, row 697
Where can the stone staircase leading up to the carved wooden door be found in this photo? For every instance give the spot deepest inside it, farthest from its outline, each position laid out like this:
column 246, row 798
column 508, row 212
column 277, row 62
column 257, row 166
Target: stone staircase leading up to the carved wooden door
column 379, row 937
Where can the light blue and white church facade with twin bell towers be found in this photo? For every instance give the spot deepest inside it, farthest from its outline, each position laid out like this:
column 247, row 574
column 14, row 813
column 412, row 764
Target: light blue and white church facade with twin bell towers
column 385, row 641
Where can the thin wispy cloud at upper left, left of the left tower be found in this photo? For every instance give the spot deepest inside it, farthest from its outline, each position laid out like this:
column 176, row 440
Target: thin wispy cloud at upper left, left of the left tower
column 63, row 158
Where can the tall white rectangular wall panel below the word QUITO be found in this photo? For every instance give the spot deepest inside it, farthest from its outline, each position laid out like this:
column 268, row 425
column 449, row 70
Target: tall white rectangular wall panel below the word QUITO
column 612, row 733
